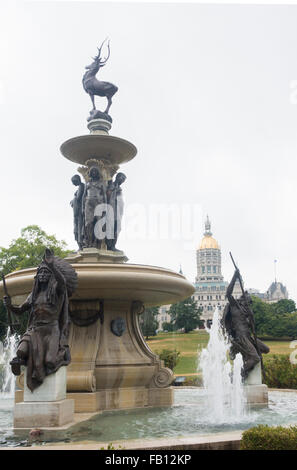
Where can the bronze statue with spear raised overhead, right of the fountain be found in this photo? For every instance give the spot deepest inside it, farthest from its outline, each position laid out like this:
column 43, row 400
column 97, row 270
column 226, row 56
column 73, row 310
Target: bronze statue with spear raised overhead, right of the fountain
column 238, row 323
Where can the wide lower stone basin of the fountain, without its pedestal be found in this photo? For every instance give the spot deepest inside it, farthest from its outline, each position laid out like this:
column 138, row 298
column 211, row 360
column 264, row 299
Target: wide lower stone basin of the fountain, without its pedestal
column 150, row 285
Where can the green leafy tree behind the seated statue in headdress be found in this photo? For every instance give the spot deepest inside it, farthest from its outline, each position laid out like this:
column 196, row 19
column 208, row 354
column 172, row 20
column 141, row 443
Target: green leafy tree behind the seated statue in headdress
column 26, row 252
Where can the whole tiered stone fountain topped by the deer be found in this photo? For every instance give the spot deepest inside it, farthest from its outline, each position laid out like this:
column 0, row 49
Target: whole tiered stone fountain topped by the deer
column 111, row 365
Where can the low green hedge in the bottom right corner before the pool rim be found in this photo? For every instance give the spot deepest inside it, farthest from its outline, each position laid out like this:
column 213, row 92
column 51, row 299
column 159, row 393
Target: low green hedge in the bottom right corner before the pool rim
column 264, row 437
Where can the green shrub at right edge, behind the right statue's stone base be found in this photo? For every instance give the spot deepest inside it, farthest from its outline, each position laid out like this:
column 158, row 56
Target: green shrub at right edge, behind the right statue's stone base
column 280, row 372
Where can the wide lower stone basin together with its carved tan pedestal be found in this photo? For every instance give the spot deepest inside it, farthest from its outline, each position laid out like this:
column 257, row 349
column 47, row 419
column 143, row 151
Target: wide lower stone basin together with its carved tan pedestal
column 110, row 370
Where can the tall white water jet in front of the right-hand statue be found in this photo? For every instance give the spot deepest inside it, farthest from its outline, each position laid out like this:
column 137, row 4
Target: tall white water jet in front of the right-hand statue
column 222, row 382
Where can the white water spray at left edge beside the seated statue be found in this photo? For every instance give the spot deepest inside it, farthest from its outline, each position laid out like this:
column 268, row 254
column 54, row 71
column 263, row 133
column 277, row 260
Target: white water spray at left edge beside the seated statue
column 7, row 352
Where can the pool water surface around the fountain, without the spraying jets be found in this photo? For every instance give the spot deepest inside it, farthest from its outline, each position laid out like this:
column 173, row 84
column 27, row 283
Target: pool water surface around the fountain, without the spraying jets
column 187, row 417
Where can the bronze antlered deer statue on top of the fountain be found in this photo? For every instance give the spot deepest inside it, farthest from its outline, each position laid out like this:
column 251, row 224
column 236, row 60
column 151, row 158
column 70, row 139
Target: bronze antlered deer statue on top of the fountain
column 95, row 87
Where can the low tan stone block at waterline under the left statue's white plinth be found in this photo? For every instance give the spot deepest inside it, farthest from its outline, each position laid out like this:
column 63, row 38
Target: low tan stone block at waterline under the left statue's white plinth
column 43, row 414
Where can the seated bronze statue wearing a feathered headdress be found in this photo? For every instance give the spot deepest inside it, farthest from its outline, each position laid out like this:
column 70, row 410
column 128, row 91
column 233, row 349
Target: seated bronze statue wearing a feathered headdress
column 43, row 348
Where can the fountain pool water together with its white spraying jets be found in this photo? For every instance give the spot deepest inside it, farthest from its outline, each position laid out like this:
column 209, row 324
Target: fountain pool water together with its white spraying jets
column 217, row 408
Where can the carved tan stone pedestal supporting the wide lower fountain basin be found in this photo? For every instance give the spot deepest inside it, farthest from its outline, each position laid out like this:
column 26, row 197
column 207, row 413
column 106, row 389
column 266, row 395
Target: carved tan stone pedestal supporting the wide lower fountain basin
column 112, row 367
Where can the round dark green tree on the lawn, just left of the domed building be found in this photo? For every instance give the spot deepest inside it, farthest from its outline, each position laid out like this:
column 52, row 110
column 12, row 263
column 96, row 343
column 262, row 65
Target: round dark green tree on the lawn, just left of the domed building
column 185, row 315
